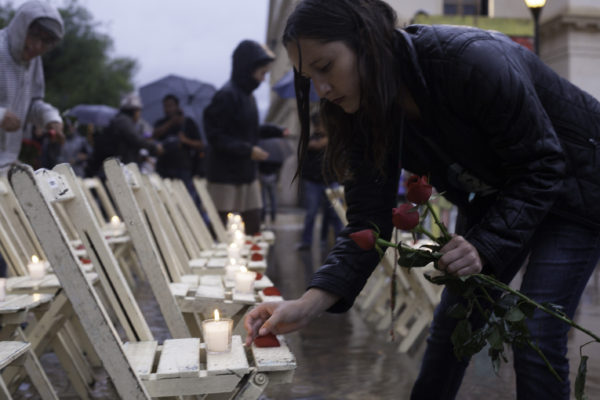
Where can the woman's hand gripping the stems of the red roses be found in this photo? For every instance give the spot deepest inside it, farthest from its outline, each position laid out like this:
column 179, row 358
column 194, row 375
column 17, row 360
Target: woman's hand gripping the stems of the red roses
column 460, row 257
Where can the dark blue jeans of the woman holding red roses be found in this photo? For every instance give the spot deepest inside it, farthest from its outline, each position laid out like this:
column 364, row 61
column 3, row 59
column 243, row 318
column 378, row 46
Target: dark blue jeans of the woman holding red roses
column 562, row 257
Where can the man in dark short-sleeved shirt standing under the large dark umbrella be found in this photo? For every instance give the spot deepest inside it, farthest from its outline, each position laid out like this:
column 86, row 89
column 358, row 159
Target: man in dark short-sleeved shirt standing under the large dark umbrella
column 180, row 139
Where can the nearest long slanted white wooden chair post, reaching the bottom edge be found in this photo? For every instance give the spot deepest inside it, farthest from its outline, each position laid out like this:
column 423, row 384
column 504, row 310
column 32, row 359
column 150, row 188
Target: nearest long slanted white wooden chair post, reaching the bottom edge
column 36, row 193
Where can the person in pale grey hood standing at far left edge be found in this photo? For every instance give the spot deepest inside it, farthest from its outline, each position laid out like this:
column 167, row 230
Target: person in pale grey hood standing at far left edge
column 35, row 29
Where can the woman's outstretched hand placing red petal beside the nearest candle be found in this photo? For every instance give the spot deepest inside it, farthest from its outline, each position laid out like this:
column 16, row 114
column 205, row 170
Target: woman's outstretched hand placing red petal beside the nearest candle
column 286, row 316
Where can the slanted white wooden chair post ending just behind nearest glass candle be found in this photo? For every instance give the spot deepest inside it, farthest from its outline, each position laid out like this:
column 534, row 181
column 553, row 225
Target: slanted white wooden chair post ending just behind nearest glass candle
column 123, row 187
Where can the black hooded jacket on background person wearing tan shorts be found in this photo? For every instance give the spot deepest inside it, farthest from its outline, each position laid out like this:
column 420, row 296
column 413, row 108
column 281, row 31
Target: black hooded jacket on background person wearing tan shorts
column 231, row 120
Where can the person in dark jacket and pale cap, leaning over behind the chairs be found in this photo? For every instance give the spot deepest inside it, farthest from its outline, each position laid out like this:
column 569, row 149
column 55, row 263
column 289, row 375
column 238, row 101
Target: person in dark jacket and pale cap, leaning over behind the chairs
column 121, row 138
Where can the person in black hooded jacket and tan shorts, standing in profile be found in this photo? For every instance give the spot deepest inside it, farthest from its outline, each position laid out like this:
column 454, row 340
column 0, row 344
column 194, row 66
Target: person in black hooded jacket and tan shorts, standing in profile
column 232, row 127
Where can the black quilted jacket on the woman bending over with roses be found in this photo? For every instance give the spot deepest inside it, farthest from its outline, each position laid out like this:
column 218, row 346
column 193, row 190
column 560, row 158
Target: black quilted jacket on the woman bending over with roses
column 507, row 139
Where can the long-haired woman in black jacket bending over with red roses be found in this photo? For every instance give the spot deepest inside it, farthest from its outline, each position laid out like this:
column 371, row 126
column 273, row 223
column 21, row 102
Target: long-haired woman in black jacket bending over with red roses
column 508, row 140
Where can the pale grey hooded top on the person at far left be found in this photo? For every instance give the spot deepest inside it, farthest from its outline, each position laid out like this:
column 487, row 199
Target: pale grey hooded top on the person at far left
column 22, row 83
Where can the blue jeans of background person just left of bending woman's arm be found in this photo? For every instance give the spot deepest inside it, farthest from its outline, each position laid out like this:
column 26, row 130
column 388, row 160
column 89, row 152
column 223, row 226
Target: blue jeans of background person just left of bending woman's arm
column 315, row 198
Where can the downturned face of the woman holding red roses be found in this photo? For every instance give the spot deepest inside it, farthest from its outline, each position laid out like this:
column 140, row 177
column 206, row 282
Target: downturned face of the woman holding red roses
column 332, row 67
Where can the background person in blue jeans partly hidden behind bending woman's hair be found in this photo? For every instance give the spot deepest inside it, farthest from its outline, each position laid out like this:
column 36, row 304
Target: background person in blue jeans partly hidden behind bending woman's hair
column 314, row 183
